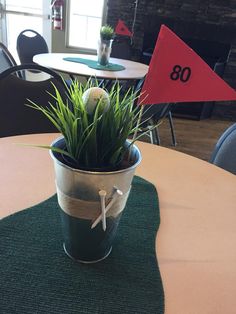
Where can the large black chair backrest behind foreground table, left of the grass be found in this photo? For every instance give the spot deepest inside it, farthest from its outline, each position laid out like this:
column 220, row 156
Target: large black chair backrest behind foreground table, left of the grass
column 15, row 116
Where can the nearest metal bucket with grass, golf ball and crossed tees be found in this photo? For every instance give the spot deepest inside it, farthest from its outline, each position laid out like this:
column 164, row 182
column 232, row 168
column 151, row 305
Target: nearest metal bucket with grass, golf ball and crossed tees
column 94, row 163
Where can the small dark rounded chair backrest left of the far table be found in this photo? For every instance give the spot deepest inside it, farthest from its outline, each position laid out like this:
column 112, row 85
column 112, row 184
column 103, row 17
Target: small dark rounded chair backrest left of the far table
column 29, row 43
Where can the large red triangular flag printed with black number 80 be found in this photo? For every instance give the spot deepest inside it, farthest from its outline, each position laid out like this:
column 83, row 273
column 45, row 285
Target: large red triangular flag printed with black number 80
column 177, row 74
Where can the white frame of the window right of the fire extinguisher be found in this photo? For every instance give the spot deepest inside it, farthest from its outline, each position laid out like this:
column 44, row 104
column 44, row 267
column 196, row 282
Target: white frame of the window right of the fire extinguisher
column 67, row 30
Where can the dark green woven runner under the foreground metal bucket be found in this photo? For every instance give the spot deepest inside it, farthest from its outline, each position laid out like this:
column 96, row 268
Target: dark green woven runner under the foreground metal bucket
column 38, row 277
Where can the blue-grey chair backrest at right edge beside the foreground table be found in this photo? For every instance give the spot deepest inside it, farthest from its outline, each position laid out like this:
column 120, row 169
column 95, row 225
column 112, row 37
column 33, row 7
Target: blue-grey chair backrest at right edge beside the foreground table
column 224, row 153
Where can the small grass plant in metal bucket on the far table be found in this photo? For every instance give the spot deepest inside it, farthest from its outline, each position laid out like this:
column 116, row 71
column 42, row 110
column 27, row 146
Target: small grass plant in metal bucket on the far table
column 104, row 44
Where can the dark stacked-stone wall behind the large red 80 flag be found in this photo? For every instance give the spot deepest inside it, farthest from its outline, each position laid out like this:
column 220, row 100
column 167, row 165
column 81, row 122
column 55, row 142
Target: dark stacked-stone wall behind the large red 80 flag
column 199, row 19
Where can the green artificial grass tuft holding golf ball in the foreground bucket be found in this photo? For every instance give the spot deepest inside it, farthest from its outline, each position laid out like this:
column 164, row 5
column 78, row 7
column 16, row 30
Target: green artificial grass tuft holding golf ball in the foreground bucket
column 94, row 123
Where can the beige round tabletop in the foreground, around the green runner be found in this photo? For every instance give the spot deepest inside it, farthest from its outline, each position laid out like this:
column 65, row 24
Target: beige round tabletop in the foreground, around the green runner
column 196, row 240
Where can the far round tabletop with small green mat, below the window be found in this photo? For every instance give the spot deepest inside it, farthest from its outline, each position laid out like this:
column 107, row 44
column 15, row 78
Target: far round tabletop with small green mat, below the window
column 133, row 70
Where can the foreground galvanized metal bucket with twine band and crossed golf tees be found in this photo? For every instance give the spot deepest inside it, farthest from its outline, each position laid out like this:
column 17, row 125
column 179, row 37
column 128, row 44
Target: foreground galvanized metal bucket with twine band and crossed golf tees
column 91, row 205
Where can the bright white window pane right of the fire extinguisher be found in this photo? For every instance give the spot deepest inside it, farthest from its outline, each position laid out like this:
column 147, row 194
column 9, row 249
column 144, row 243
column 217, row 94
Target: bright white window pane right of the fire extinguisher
column 85, row 19
